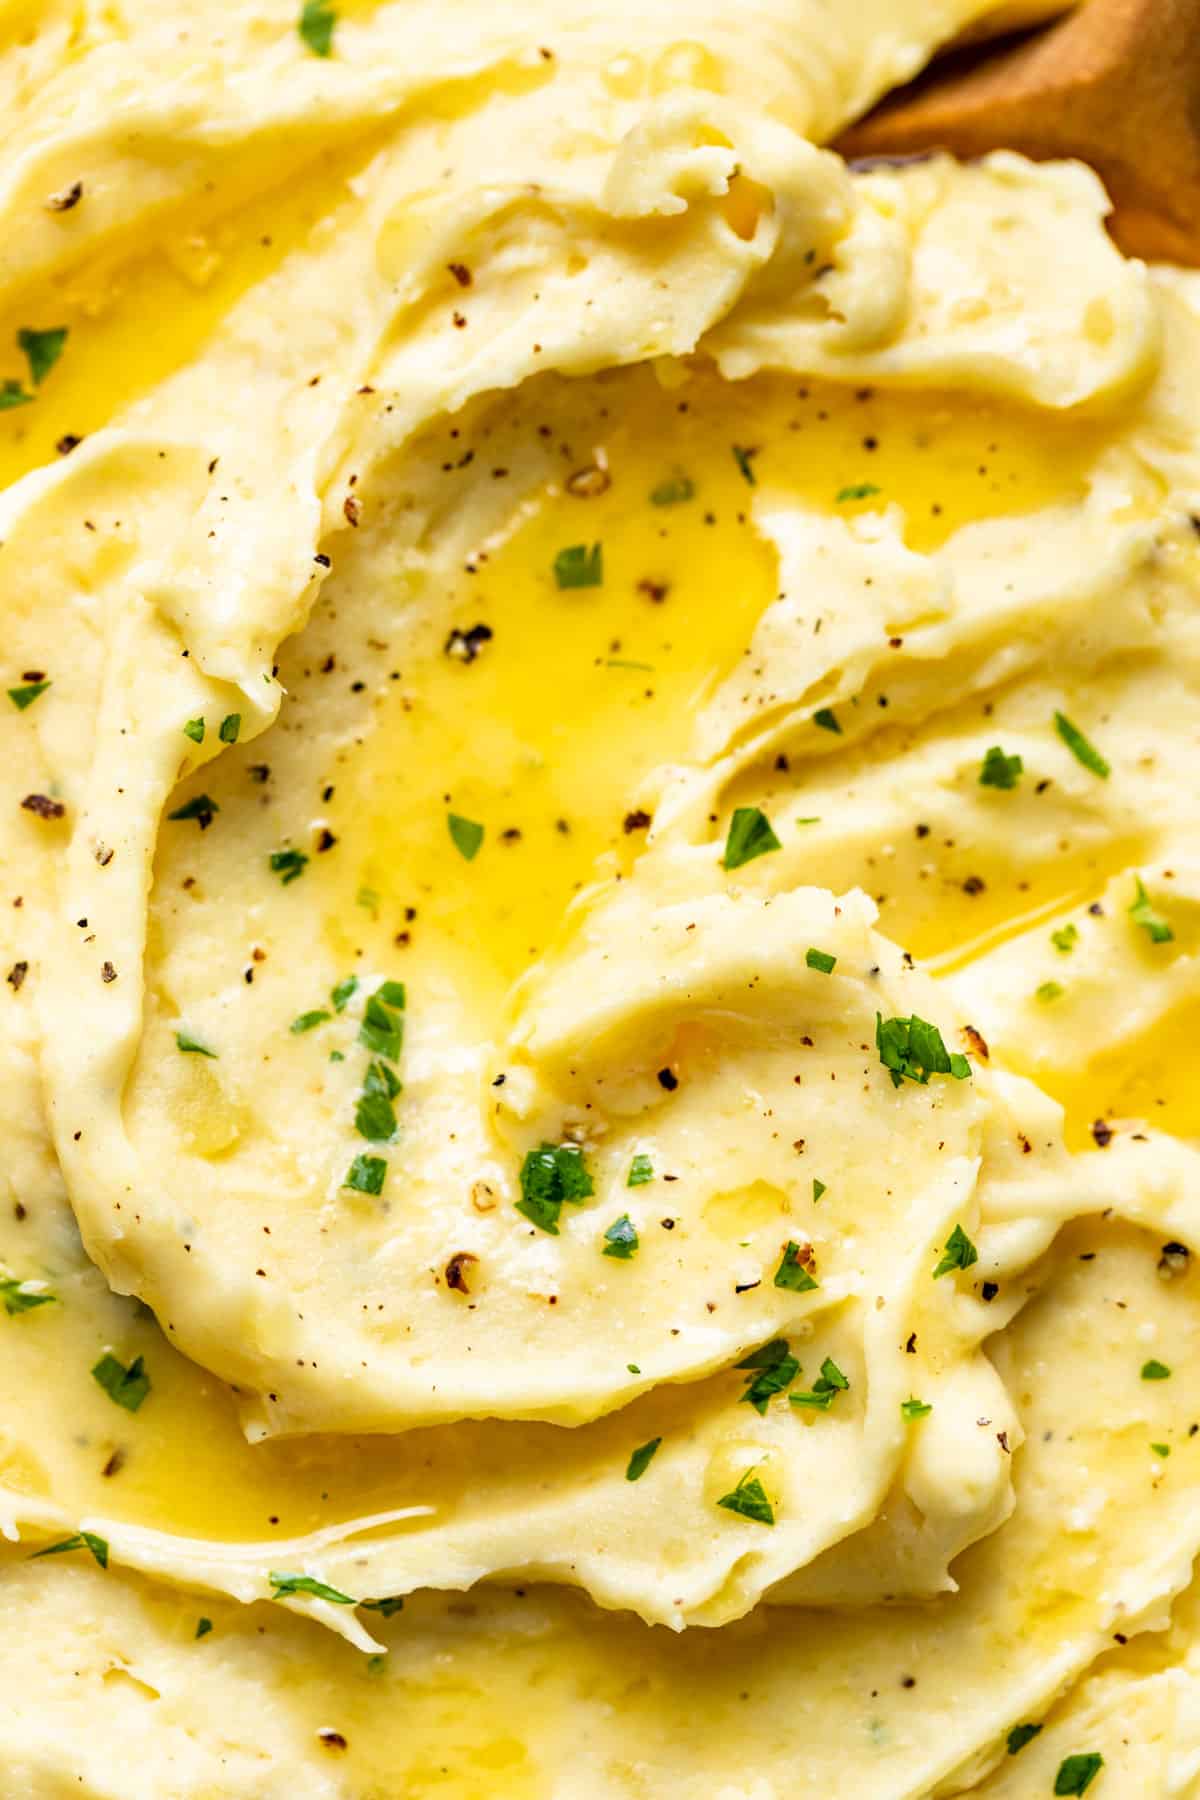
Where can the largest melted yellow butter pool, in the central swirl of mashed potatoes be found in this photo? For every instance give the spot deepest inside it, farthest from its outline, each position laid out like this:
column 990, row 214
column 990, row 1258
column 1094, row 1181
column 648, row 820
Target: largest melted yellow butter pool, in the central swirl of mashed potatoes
column 550, row 735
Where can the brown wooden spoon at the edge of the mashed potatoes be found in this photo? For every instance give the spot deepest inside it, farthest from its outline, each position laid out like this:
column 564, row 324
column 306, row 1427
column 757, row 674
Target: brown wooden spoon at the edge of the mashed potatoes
column 1115, row 84
